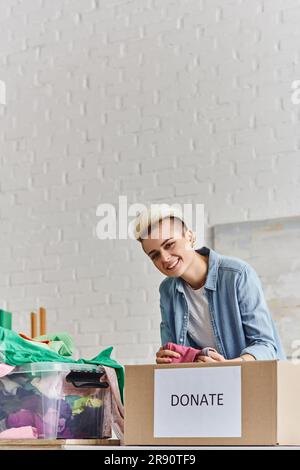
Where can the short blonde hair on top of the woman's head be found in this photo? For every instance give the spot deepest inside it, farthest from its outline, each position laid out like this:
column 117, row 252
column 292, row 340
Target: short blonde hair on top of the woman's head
column 150, row 217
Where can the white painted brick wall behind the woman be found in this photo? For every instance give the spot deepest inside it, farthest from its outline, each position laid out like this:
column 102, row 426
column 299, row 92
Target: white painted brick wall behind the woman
column 161, row 101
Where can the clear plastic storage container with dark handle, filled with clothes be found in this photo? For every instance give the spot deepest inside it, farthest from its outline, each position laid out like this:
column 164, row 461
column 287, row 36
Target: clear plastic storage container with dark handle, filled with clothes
column 58, row 400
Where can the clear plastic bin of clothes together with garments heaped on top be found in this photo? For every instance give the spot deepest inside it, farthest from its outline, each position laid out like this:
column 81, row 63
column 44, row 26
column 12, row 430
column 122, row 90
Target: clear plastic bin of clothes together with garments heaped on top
column 38, row 401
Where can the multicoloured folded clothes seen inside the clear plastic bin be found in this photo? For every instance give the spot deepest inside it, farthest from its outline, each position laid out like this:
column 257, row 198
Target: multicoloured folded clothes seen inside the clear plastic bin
column 27, row 400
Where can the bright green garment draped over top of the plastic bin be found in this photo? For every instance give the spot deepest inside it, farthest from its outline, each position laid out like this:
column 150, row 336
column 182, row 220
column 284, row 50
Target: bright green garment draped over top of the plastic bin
column 16, row 351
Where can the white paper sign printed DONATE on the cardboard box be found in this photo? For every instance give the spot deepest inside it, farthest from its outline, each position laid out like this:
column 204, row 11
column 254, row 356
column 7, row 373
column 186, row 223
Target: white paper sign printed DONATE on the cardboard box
column 198, row 402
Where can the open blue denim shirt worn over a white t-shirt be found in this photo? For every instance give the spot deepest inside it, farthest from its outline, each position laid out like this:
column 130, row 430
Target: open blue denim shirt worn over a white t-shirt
column 241, row 321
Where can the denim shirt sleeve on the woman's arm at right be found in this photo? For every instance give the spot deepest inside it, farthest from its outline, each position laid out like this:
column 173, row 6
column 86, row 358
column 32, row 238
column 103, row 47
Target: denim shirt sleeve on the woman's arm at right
column 256, row 318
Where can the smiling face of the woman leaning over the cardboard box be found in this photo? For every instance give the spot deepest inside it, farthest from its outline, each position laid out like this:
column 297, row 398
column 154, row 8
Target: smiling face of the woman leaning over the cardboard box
column 169, row 248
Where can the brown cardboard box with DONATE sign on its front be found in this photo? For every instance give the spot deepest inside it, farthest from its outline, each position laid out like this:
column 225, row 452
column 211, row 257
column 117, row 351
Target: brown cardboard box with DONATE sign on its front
column 251, row 403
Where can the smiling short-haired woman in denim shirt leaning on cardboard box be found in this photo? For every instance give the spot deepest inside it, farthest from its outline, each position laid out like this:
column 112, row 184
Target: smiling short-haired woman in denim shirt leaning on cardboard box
column 206, row 300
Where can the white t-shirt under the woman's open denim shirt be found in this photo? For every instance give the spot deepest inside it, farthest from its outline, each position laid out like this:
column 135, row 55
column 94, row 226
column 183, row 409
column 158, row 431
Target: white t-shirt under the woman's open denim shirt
column 199, row 326
